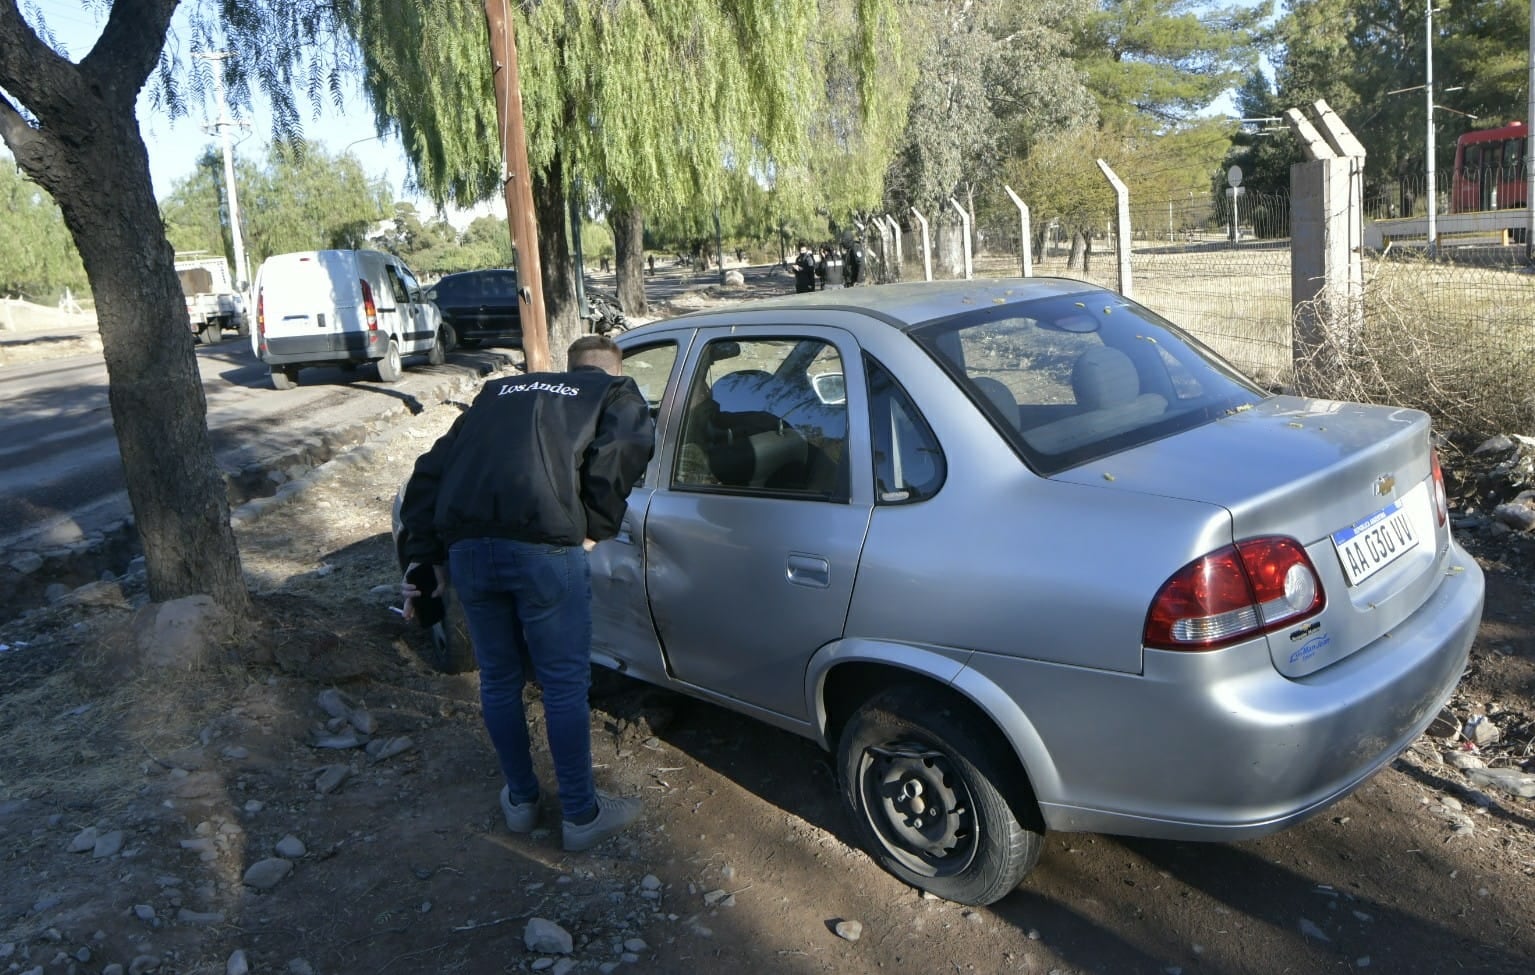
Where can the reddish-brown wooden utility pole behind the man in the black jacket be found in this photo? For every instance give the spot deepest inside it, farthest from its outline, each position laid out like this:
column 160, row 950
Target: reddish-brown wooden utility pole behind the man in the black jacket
column 518, row 187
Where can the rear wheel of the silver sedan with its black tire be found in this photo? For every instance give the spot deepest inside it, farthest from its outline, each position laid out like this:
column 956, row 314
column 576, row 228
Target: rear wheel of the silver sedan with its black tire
column 928, row 788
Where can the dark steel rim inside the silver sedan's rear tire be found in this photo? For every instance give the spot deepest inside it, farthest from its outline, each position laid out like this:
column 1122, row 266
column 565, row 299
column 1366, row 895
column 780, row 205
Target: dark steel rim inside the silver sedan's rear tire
column 919, row 807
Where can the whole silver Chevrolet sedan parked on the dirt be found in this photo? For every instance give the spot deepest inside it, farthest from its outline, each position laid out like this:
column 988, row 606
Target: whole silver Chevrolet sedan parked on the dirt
column 934, row 527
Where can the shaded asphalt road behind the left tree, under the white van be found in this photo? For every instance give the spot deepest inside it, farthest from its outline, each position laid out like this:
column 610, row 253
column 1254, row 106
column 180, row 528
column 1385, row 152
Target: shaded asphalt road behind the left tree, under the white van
column 61, row 472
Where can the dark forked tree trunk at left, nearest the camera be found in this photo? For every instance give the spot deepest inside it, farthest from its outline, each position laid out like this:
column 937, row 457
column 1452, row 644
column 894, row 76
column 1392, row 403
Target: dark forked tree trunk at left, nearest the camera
column 88, row 154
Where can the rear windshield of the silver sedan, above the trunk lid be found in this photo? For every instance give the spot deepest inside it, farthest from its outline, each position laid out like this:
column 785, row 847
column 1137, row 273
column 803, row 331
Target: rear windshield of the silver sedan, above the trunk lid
column 1081, row 377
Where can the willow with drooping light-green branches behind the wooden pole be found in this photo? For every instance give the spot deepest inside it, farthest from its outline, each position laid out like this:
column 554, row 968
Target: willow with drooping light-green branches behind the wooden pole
column 641, row 105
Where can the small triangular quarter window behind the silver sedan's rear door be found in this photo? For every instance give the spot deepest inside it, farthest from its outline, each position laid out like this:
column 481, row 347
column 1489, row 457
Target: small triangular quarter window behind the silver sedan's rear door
column 908, row 461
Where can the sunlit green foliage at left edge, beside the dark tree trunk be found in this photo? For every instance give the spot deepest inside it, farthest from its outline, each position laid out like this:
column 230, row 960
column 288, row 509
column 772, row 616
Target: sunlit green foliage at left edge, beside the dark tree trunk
column 38, row 256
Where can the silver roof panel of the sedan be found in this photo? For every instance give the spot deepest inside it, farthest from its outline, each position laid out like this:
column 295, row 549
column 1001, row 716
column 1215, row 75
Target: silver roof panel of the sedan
column 909, row 305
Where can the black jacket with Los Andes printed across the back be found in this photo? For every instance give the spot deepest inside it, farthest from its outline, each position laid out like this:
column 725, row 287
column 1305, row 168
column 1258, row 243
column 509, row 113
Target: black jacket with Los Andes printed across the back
column 543, row 458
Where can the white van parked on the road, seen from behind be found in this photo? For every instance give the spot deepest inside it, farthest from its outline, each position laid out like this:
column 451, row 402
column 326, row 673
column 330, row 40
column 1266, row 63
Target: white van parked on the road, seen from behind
column 320, row 308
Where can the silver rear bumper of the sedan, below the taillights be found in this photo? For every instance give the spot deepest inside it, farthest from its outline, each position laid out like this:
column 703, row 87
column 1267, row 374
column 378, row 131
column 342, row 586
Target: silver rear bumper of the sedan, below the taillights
column 1220, row 745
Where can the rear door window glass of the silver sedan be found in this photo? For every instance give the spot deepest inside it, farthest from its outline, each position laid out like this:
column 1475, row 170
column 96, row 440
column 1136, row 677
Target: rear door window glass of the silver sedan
column 767, row 417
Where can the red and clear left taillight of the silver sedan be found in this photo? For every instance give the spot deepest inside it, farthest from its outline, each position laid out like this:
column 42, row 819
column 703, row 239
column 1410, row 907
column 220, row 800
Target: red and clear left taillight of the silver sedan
column 1235, row 593
